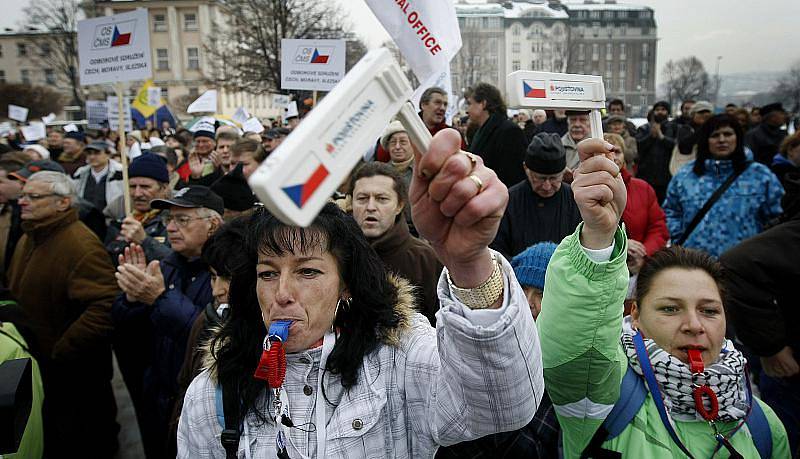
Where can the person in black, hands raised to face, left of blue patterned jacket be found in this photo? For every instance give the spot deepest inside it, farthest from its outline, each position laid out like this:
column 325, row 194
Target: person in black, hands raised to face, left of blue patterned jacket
column 655, row 141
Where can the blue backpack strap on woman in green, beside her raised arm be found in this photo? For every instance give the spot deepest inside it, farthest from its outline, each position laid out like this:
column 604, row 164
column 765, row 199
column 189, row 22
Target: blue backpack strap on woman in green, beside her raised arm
column 632, row 395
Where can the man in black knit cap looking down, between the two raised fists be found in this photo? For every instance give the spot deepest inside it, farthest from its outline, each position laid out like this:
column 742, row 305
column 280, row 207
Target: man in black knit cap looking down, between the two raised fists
column 542, row 208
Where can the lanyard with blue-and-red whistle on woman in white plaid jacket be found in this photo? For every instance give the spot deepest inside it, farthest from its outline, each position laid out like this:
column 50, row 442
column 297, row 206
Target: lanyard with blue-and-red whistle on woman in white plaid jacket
column 272, row 368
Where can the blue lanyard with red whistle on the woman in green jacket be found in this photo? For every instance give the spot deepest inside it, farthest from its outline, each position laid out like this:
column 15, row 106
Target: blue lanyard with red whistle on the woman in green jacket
column 698, row 393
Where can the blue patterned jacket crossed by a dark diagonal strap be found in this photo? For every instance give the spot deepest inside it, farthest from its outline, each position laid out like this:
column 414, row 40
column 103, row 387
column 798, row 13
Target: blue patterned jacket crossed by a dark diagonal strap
column 741, row 212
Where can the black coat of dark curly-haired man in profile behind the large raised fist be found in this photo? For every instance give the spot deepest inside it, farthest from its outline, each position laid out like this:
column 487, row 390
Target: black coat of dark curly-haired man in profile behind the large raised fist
column 502, row 145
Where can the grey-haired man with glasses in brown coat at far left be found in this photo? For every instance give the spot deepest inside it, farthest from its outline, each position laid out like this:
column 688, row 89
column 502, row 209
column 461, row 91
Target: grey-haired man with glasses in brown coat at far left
column 63, row 278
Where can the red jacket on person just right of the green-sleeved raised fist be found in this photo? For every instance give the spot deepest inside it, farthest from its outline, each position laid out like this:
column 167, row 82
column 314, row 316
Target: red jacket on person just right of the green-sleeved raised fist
column 644, row 219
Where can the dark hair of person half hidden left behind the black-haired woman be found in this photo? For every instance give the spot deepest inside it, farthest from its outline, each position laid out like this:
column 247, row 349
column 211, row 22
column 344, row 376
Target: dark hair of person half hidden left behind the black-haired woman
column 223, row 249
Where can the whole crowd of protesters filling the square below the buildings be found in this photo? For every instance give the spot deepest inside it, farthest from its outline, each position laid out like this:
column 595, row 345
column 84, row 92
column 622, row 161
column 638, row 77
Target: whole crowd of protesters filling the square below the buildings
column 656, row 265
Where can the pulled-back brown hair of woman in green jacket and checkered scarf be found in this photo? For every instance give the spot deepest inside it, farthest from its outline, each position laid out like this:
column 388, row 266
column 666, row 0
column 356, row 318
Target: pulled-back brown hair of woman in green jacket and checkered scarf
column 678, row 257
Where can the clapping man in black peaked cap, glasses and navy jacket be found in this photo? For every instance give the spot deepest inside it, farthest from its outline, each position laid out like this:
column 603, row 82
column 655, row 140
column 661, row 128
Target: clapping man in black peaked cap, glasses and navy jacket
column 161, row 300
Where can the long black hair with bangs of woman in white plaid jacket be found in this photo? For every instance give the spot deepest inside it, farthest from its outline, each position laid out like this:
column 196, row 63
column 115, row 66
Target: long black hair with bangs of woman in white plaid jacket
column 371, row 315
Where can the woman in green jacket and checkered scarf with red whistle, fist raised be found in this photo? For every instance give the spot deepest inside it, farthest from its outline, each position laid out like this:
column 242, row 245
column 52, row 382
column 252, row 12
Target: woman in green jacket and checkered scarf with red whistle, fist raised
column 697, row 399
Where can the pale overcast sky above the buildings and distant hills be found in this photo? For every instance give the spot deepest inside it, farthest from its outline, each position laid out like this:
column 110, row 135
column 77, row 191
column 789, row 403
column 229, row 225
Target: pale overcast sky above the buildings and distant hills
column 749, row 35
